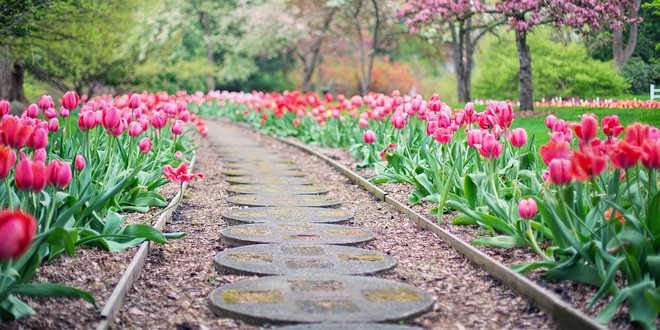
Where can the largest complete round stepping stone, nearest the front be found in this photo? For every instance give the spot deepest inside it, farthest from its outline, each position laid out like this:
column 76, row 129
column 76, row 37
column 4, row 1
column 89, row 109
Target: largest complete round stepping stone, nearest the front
column 323, row 298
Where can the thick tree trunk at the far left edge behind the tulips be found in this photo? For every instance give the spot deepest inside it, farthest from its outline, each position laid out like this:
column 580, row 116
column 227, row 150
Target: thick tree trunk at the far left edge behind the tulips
column 11, row 78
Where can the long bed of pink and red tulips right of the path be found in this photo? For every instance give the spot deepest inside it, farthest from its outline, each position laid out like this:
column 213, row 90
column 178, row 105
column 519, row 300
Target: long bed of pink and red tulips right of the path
column 588, row 206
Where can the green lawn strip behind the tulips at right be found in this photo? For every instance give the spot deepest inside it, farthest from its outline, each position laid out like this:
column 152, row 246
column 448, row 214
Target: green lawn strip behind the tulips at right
column 535, row 124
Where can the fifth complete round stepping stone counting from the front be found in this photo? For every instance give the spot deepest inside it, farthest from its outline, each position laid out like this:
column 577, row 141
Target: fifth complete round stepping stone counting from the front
column 284, row 200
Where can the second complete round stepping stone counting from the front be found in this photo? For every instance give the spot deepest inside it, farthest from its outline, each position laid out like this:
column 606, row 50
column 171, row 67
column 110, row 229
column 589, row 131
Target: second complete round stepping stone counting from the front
column 286, row 259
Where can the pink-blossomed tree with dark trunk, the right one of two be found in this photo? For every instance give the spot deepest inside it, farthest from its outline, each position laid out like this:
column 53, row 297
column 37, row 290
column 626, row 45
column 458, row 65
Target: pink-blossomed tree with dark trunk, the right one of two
column 582, row 15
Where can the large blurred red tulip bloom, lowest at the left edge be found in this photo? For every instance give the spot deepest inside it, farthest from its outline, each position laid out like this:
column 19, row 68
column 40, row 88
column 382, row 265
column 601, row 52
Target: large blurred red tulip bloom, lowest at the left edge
column 17, row 230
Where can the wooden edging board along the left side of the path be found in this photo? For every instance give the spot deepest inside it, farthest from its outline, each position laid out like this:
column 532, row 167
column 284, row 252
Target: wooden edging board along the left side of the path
column 132, row 272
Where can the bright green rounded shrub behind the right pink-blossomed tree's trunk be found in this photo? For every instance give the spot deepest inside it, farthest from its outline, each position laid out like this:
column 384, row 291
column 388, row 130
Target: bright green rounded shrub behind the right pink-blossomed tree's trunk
column 558, row 69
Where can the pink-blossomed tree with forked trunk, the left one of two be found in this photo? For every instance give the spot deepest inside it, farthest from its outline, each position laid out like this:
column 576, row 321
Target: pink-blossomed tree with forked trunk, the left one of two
column 466, row 21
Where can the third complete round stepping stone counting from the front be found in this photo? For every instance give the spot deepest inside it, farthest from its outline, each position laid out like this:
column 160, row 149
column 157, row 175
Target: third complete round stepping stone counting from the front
column 307, row 233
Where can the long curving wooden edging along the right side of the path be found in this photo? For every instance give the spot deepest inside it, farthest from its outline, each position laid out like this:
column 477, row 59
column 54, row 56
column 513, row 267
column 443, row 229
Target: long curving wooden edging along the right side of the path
column 562, row 312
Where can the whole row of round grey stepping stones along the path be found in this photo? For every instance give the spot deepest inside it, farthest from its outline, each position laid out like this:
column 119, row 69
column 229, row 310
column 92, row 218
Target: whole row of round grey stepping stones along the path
column 286, row 226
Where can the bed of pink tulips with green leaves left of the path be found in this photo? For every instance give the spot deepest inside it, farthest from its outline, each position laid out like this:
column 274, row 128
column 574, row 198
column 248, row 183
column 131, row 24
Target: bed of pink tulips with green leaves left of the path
column 71, row 176
